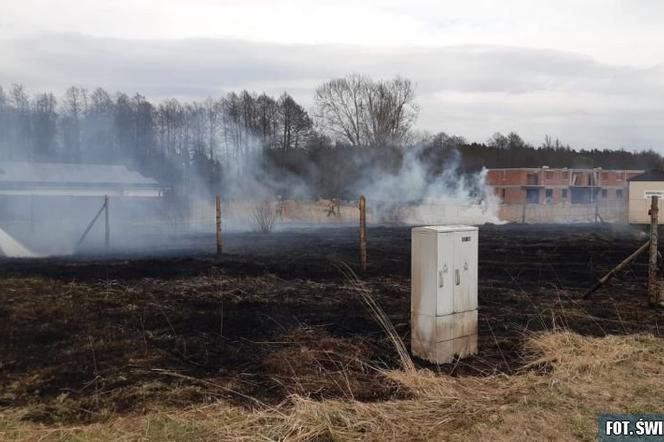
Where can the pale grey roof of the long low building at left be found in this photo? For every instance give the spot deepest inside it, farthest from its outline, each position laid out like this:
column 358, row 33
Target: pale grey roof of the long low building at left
column 64, row 173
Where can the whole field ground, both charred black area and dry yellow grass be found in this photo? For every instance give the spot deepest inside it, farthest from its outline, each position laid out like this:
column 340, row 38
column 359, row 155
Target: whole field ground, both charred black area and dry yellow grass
column 279, row 344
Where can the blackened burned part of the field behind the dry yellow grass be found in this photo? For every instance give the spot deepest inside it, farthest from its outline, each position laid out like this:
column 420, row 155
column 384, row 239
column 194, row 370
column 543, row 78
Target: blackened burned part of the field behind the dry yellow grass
column 274, row 316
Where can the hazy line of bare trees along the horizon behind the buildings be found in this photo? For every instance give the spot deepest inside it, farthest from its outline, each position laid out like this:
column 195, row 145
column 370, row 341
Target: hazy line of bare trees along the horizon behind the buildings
column 356, row 124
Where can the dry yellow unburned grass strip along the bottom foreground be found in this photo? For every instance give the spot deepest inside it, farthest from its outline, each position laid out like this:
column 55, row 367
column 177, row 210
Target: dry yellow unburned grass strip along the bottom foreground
column 587, row 376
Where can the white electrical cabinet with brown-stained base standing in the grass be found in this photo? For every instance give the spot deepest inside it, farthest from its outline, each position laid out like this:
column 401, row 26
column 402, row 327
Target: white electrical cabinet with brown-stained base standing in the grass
column 444, row 292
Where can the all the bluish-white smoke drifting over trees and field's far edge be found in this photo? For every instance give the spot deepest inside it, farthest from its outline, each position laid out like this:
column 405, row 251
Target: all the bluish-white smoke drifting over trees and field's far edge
column 200, row 150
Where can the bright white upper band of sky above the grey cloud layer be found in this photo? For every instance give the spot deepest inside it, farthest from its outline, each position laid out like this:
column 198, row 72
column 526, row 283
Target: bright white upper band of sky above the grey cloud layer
column 618, row 31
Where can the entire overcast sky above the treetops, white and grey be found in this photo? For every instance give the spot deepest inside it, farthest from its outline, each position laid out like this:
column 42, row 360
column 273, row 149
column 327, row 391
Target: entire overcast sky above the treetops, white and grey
column 589, row 72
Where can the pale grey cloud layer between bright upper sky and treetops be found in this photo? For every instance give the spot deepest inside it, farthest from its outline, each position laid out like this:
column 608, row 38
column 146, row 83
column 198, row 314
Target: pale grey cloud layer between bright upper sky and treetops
column 470, row 90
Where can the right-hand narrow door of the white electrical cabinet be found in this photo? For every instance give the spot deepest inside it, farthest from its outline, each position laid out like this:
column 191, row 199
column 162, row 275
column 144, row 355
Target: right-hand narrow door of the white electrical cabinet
column 465, row 271
